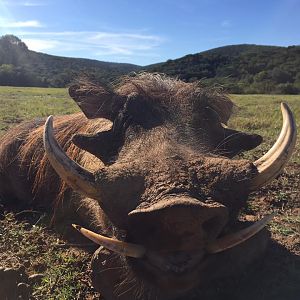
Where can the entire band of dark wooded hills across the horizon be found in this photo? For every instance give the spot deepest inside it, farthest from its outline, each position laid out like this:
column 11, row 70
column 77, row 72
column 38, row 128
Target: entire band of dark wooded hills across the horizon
column 239, row 68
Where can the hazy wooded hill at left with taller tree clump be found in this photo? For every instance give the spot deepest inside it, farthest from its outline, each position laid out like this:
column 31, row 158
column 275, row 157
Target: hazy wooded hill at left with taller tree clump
column 20, row 66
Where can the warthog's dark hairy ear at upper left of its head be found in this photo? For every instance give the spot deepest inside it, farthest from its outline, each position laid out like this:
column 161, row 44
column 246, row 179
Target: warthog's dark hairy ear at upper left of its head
column 96, row 101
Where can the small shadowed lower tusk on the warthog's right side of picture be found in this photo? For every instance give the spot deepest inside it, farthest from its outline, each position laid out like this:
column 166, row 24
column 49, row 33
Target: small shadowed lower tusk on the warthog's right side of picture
column 234, row 239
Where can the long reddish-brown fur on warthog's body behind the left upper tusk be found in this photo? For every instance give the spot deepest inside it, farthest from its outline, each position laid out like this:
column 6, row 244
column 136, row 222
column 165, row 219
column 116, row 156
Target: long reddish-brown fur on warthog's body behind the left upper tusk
column 23, row 151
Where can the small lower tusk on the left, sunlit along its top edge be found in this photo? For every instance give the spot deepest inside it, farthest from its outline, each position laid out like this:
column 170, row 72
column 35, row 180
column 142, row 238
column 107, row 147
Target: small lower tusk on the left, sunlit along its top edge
column 123, row 248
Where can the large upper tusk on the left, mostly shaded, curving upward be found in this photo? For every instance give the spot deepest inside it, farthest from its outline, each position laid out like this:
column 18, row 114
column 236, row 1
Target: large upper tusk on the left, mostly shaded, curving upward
column 72, row 173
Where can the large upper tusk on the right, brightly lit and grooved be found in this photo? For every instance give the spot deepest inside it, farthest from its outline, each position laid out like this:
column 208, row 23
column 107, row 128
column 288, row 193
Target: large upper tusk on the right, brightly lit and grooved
column 272, row 163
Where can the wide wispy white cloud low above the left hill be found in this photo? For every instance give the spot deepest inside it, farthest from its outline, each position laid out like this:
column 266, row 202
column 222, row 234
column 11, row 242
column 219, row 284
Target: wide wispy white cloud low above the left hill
column 93, row 44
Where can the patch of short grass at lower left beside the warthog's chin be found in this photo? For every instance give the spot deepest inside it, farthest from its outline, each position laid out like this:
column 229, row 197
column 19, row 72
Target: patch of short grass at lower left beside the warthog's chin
column 65, row 271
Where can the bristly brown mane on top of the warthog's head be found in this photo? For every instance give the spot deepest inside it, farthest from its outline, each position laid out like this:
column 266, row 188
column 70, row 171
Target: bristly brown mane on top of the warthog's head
column 176, row 94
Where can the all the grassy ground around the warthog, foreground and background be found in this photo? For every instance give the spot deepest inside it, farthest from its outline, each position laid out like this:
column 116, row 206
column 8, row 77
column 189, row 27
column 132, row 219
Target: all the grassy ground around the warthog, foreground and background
column 26, row 240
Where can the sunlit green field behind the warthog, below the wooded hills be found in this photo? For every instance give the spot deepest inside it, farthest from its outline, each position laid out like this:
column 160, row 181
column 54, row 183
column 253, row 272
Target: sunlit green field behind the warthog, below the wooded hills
column 254, row 113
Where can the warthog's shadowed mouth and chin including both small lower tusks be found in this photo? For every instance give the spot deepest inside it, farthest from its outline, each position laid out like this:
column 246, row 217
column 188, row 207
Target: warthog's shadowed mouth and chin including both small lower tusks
column 173, row 268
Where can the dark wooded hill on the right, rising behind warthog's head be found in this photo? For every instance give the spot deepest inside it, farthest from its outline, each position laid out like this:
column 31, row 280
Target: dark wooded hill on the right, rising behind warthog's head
column 240, row 68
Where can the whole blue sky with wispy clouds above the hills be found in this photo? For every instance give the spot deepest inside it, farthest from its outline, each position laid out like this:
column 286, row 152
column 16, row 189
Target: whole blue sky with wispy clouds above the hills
column 147, row 31
